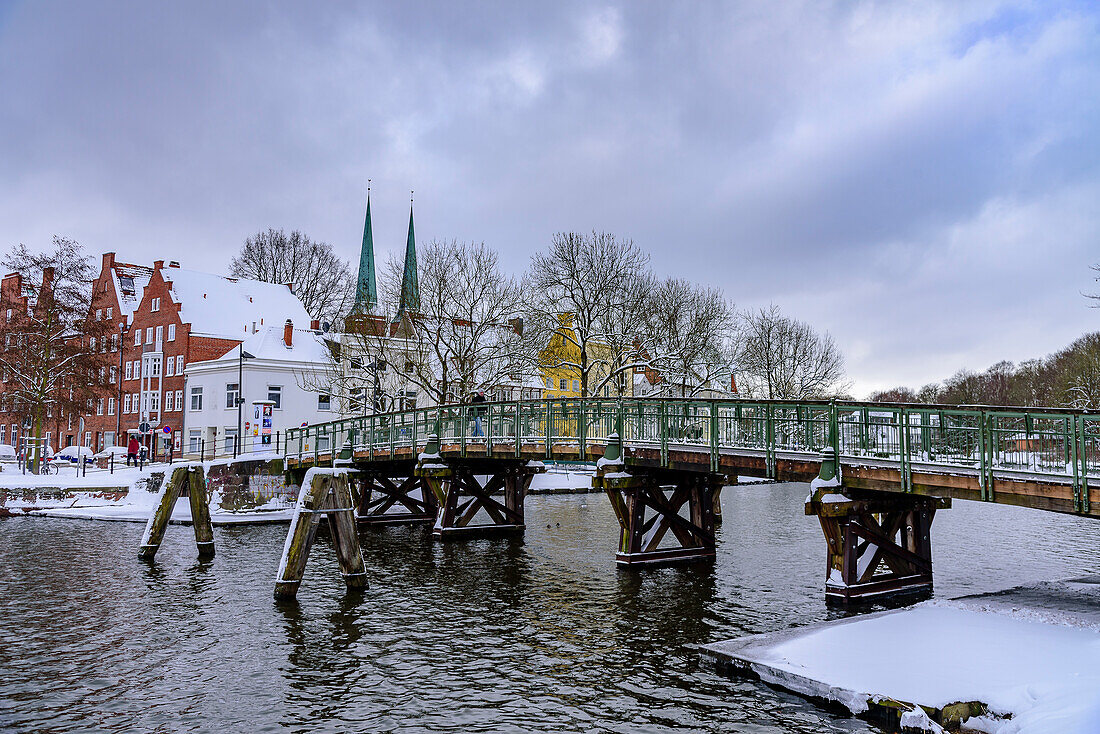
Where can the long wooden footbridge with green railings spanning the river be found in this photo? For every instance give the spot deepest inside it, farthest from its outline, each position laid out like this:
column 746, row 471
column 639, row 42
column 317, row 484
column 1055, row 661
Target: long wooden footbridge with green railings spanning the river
column 878, row 474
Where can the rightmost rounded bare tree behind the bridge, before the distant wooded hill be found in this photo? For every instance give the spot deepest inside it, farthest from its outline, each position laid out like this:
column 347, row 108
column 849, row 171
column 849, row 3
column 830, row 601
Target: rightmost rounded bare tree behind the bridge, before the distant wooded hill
column 783, row 358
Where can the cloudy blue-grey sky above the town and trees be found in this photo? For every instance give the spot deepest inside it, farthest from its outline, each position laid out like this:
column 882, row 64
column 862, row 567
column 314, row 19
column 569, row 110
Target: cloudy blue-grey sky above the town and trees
column 920, row 180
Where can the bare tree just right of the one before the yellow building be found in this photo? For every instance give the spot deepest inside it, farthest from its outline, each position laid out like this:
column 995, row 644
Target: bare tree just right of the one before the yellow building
column 692, row 334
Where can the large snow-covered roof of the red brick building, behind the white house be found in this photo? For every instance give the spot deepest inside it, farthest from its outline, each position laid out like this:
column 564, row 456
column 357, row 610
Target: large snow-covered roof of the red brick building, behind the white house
column 232, row 308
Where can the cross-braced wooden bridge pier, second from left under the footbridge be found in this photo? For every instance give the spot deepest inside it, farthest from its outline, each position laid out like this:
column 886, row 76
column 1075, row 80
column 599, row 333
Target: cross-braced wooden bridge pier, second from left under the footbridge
column 461, row 497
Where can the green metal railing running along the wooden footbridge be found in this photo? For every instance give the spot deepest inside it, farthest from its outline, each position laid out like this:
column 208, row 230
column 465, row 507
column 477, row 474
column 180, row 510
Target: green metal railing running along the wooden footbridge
column 1048, row 444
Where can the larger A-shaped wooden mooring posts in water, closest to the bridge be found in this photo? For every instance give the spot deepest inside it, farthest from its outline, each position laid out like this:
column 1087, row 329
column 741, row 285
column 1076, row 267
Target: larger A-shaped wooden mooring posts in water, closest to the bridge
column 324, row 492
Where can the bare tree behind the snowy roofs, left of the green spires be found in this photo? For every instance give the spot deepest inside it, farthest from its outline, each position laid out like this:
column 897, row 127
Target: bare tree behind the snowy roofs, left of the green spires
column 321, row 279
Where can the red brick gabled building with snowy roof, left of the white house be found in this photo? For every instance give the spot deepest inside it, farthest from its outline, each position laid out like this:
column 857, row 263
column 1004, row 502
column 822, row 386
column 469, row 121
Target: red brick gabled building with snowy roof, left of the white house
column 162, row 320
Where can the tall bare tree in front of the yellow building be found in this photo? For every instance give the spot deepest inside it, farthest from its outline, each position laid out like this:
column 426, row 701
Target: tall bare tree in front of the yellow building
column 589, row 300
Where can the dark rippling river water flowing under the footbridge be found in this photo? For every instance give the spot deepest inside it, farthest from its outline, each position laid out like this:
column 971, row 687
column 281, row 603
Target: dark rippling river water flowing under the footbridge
column 535, row 634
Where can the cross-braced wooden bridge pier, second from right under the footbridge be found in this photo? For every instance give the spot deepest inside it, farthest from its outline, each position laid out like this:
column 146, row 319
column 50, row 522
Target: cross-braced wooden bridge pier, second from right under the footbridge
column 653, row 506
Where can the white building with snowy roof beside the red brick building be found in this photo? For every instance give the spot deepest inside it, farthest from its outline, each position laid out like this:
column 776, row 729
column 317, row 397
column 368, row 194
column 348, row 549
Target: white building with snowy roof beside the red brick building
column 284, row 366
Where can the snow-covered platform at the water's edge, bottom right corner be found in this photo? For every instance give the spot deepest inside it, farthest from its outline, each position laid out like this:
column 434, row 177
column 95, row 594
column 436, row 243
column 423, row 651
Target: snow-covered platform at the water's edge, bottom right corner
column 1032, row 655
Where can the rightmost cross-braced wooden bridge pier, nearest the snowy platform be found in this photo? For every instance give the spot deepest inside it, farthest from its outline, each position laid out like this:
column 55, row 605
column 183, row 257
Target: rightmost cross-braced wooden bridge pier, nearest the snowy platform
column 879, row 544
